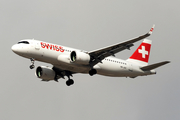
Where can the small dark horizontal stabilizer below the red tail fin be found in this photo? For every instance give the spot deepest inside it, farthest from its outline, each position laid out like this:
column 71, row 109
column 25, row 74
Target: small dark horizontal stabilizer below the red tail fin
column 153, row 66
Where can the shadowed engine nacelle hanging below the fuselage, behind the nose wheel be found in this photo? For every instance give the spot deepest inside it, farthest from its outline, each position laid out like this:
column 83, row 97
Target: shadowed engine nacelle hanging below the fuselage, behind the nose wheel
column 45, row 73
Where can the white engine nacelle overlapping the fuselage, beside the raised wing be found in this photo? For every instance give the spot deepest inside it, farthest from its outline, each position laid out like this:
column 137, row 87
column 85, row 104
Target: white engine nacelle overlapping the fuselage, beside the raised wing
column 79, row 57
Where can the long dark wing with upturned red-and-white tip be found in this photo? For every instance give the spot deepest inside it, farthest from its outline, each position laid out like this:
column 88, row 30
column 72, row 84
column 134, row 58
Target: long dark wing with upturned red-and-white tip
column 100, row 54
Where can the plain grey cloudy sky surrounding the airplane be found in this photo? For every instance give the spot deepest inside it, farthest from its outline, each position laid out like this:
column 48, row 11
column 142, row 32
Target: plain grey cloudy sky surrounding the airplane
column 89, row 25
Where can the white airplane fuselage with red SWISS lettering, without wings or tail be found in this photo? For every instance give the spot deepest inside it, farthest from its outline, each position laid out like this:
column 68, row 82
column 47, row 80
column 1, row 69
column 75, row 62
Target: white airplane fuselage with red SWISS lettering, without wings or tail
column 58, row 55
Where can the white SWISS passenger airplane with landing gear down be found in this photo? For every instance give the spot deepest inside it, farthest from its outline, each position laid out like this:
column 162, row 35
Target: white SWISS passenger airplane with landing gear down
column 67, row 61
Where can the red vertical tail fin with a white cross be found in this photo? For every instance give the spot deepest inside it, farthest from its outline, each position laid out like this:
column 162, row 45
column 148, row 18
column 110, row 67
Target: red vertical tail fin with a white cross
column 141, row 55
